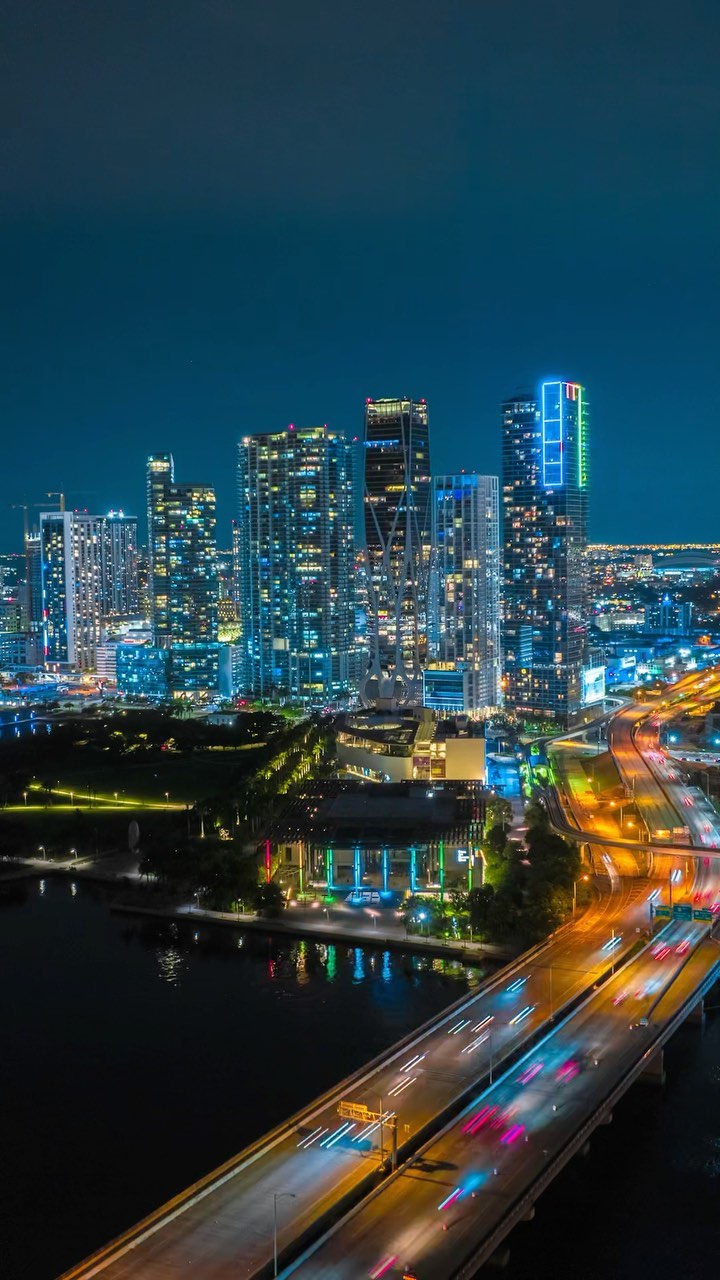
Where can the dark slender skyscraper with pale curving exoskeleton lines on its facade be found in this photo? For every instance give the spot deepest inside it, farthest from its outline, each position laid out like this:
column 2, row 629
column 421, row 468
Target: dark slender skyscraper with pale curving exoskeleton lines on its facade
column 398, row 543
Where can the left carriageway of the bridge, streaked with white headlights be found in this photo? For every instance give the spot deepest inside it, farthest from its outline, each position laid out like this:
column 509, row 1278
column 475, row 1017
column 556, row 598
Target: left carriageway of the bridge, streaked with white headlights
column 229, row 1223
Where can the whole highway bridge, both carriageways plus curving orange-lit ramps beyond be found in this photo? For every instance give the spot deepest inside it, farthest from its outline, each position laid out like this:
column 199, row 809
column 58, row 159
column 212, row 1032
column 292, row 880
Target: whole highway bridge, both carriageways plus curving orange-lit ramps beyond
column 308, row 1173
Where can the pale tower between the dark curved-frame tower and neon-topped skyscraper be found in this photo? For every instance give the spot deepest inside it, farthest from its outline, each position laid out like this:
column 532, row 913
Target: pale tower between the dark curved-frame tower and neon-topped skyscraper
column 464, row 616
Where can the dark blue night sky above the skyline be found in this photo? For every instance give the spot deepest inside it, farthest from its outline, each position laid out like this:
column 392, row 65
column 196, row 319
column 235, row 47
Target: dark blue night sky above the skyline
column 221, row 217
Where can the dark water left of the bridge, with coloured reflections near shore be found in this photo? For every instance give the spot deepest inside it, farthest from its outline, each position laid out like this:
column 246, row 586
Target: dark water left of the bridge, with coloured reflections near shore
column 138, row 1055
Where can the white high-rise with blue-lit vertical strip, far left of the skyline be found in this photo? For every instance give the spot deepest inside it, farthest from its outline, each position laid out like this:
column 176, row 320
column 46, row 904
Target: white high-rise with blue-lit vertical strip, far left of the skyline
column 72, row 588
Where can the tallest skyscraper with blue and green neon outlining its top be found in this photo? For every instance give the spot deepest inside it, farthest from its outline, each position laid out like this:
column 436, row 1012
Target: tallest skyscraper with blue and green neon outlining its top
column 545, row 444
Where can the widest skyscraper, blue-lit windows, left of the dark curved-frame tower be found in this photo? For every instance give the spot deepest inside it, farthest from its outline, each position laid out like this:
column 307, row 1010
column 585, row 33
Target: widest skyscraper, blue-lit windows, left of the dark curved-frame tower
column 295, row 546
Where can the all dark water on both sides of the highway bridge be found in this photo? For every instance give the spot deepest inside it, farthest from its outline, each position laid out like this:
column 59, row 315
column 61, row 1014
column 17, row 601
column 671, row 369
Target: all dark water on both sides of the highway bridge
column 135, row 1057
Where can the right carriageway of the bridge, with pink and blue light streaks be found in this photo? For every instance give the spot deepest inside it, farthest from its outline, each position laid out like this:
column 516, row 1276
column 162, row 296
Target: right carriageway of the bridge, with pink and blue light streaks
column 435, row 1215
